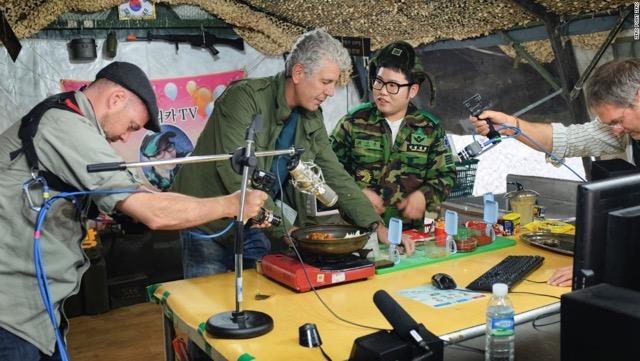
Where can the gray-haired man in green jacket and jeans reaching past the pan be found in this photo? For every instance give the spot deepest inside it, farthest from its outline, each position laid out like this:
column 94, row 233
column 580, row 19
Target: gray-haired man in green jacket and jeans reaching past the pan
column 289, row 103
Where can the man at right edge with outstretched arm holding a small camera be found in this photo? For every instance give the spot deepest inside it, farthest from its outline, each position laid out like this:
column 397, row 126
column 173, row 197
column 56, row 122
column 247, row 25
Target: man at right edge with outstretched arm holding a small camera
column 614, row 96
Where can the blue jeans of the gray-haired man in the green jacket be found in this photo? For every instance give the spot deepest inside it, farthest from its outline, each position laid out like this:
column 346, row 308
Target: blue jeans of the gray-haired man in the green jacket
column 201, row 257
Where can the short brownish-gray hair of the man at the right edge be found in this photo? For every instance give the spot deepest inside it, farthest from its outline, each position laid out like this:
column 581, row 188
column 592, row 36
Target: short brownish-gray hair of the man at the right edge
column 616, row 83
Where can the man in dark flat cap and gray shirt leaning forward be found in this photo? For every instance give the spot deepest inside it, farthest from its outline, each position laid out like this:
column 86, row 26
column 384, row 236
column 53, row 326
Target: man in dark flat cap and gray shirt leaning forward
column 53, row 144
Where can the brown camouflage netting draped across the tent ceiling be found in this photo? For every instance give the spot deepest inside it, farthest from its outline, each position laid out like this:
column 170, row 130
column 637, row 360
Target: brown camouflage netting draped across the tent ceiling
column 271, row 26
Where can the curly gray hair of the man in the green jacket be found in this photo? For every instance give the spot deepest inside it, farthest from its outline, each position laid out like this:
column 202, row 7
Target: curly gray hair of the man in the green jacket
column 314, row 46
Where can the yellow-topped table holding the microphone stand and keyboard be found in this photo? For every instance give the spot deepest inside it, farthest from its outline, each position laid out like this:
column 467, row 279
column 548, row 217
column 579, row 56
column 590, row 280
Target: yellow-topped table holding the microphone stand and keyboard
column 188, row 304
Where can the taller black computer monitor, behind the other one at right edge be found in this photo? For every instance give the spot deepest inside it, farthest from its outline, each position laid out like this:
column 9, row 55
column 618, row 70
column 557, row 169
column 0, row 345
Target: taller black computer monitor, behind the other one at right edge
column 594, row 203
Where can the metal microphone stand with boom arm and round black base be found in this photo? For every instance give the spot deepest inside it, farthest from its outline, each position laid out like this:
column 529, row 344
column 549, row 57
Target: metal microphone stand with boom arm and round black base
column 236, row 324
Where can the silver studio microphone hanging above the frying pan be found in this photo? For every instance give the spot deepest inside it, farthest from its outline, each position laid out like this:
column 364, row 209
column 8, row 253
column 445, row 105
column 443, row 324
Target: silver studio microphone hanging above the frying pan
column 307, row 178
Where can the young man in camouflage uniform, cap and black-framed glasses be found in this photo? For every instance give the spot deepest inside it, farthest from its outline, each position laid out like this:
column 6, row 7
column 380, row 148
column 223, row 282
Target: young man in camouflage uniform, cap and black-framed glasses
column 398, row 154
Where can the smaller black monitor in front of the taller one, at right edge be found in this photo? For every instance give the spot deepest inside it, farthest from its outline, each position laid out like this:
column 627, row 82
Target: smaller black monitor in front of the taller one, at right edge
column 622, row 258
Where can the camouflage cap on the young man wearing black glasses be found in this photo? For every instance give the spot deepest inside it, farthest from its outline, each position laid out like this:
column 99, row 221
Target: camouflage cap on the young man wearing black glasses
column 400, row 54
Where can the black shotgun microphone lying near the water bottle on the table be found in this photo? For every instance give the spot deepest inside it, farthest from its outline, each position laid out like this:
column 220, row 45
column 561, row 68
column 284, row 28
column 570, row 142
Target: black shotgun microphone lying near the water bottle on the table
column 403, row 325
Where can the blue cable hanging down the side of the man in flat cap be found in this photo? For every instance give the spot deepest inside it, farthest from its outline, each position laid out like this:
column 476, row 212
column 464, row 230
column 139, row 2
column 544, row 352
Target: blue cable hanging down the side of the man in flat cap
column 41, row 274
